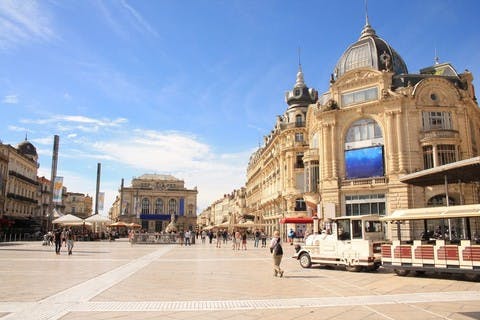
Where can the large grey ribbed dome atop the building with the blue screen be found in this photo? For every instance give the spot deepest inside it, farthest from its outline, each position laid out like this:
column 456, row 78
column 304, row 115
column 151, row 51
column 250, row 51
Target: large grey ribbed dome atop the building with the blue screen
column 370, row 51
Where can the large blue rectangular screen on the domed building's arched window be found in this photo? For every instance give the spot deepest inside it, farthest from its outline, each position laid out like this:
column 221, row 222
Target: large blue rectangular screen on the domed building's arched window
column 364, row 163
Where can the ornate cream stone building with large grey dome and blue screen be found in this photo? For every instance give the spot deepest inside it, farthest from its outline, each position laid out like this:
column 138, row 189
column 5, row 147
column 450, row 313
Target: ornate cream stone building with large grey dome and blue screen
column 378, row 123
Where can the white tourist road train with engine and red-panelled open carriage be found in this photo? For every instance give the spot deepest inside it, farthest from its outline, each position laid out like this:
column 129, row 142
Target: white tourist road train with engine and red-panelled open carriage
column 437, row 239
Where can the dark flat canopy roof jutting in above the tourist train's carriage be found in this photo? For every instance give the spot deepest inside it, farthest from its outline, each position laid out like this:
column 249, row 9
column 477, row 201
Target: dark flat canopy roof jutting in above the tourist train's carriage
column 461, row 171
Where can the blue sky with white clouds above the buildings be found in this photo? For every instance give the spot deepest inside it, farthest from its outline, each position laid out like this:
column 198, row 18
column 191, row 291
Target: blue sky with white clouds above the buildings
column 189, row 88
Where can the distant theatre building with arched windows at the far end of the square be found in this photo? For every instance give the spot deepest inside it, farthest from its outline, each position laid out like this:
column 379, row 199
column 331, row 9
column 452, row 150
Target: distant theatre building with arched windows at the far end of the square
column 153, row 200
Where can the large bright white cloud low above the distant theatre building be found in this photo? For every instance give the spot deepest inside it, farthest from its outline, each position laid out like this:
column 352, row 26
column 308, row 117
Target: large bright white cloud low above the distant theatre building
column 181, row 155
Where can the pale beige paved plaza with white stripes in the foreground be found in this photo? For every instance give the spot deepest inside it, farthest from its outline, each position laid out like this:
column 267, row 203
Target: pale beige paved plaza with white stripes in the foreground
column 114, row 280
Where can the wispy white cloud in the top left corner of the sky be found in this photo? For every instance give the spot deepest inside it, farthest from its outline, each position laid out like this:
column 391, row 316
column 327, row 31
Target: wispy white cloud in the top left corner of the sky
column 22, row 22
